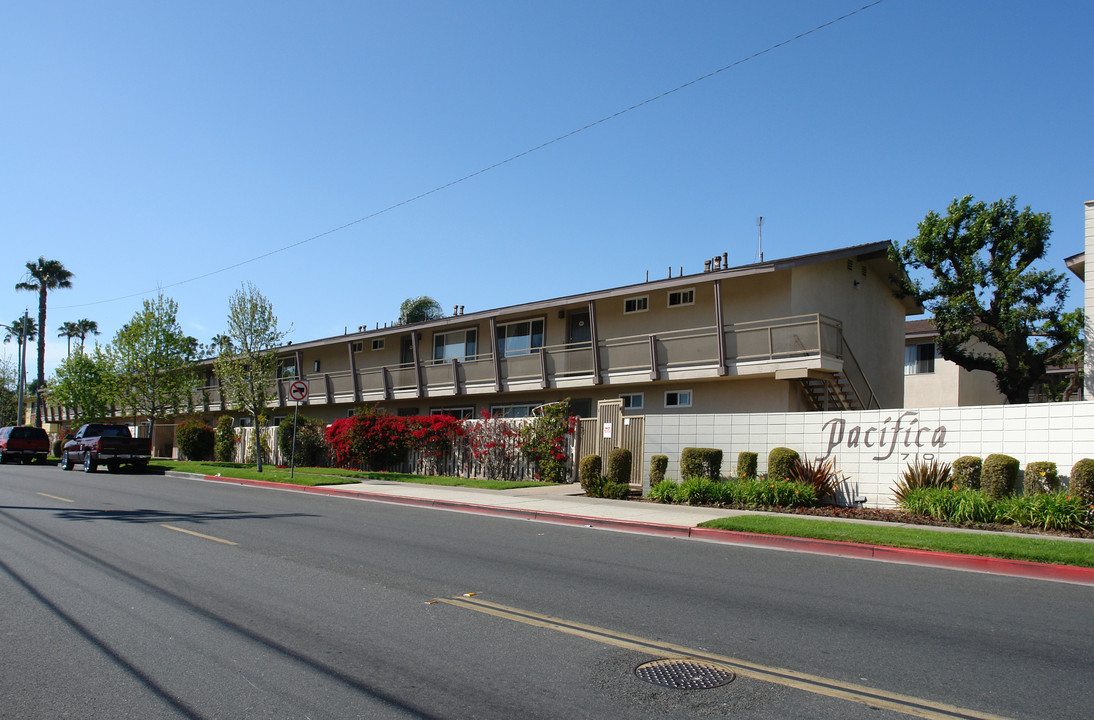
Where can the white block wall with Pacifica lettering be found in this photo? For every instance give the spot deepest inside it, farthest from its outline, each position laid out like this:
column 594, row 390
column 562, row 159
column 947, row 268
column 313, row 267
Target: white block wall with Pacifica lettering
column 872, row 448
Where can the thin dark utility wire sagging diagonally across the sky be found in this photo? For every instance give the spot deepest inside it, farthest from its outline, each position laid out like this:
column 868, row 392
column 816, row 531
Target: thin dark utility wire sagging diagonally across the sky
column 491, row 168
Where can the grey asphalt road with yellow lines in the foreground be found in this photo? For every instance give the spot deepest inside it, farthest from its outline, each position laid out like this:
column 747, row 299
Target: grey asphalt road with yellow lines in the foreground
column 147, row 597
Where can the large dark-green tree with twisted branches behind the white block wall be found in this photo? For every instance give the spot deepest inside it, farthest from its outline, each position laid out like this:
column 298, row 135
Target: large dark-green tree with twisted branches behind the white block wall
column 983, row 291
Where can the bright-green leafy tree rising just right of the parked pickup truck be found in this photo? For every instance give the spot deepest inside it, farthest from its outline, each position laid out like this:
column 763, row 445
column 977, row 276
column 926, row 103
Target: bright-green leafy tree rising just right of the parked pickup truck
column 154, row 362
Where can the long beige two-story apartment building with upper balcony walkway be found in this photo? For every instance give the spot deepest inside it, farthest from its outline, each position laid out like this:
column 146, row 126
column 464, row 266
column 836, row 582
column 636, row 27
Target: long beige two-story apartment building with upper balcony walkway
column 797, row 334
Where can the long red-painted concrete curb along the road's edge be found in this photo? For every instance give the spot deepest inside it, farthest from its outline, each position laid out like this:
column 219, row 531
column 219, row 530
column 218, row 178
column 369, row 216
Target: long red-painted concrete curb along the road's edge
column 928, row 559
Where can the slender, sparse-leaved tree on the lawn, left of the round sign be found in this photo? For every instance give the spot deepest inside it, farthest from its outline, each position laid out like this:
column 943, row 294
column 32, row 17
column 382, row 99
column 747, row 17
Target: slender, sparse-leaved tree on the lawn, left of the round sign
column 248, row 364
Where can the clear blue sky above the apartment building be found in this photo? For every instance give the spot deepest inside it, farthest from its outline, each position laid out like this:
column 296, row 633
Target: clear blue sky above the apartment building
column 168, row 145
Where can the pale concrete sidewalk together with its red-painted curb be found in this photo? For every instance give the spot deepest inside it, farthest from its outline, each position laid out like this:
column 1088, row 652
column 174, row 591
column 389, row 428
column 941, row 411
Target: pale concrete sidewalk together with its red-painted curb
column 568, row 505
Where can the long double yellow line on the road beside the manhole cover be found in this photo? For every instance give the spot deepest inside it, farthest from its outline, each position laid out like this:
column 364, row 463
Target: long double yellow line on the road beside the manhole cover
column 872, row 698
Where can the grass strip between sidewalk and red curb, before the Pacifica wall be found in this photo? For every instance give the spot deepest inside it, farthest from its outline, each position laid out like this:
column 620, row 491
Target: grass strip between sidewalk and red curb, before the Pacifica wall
column 1034, row 550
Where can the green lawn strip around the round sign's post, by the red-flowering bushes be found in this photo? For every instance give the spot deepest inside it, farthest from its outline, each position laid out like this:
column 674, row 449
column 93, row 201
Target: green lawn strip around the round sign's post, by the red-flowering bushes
column 313, row 477
